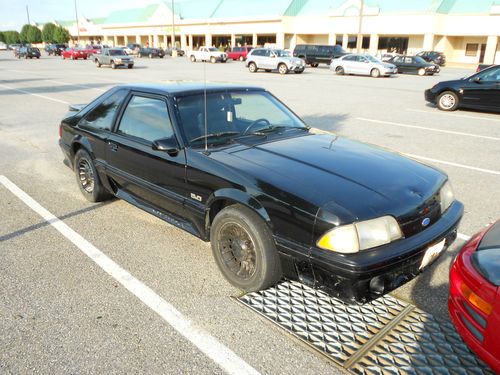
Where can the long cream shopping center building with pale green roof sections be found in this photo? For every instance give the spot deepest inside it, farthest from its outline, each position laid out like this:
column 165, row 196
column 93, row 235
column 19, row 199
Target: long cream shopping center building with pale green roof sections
column 467, row 31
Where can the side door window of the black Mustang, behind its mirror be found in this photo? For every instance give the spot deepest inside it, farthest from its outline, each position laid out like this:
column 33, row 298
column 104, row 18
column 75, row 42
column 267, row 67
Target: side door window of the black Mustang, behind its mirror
column 146, row 118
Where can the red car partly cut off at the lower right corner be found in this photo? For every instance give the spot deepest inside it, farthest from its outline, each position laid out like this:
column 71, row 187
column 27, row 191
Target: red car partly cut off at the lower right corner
column 474, row 302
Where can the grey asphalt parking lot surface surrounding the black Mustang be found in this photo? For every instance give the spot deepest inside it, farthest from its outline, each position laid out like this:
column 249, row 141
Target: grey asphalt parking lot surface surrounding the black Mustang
column 66, row 311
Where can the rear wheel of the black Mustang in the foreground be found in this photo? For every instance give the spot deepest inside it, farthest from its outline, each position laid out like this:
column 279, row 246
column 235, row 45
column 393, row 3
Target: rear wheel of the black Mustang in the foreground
column 87, row 178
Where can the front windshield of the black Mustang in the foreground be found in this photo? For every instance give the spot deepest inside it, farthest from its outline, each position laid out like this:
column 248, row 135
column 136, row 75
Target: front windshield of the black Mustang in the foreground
column 233, row 114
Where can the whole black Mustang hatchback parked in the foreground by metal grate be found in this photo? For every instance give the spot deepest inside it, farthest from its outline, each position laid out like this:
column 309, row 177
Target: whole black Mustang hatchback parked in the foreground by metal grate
column 237, row 168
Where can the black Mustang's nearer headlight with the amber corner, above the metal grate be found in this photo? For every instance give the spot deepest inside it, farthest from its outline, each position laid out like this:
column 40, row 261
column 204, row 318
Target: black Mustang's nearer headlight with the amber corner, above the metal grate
column 364, row 235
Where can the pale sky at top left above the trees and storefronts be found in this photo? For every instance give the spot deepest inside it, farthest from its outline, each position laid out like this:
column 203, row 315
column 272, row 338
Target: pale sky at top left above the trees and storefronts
column 13, row 12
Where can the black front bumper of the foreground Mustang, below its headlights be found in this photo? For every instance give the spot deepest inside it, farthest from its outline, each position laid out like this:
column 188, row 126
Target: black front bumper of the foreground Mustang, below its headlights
column 364, row 276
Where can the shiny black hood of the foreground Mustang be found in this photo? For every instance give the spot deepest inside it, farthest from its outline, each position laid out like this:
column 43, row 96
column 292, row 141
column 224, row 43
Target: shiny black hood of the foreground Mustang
column 366, row 181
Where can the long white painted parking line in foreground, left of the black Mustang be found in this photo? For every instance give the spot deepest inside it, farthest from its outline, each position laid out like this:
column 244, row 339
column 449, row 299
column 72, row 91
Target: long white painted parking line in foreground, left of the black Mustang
column 206, row 343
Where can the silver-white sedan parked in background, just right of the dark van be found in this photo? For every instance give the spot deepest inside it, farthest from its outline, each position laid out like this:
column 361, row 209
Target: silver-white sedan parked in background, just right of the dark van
column 362, row 65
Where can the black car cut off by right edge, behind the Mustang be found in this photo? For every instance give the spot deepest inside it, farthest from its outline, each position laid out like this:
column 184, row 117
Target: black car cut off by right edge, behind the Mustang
column 478, row 91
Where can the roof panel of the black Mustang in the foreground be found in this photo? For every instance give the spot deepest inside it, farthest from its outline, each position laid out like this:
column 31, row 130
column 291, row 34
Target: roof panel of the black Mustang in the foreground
column 181, row 88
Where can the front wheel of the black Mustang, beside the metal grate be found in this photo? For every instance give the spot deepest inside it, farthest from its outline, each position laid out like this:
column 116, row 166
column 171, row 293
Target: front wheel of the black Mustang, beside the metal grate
column 244, row 250
